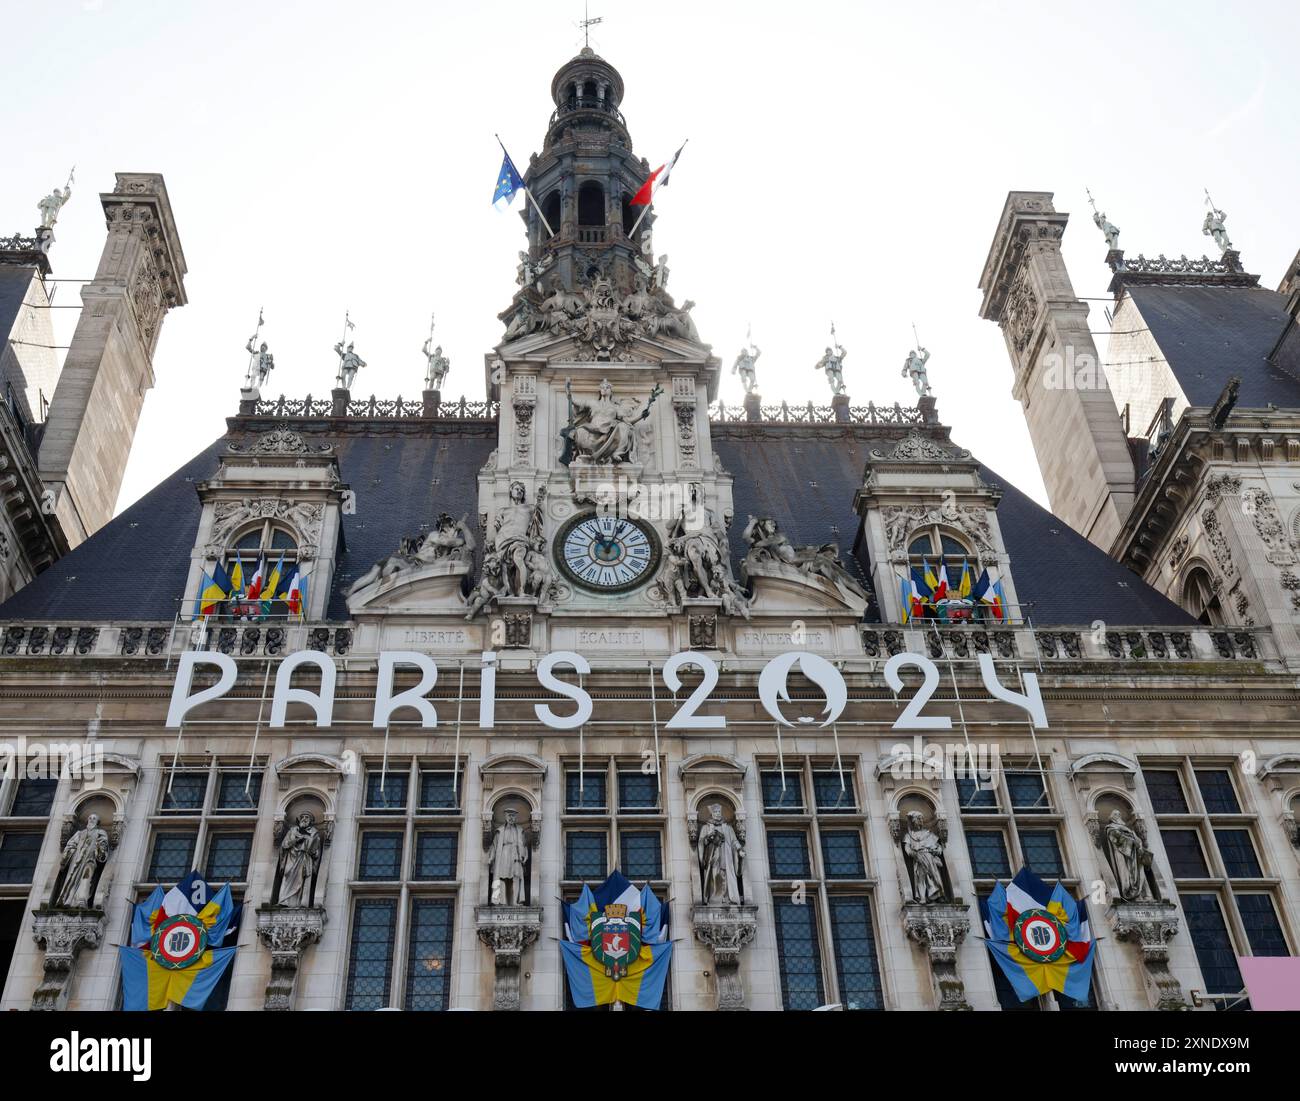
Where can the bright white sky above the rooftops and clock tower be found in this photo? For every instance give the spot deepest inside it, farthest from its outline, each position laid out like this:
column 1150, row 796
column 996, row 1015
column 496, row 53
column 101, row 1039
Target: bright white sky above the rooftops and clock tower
column 848, row 162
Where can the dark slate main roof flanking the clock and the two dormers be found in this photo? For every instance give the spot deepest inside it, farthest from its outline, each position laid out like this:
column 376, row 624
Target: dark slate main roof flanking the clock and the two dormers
column 136, row 567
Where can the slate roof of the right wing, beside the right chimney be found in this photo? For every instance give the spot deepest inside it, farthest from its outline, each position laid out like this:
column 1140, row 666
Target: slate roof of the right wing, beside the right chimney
column 1211, row 333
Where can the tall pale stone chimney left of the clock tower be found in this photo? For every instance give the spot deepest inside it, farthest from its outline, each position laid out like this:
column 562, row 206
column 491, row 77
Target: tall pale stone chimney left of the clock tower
column 110, row 366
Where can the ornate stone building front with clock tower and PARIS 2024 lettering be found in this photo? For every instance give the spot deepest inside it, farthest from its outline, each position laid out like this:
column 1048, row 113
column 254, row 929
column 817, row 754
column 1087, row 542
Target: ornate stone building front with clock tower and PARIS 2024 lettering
column 603, row 608
